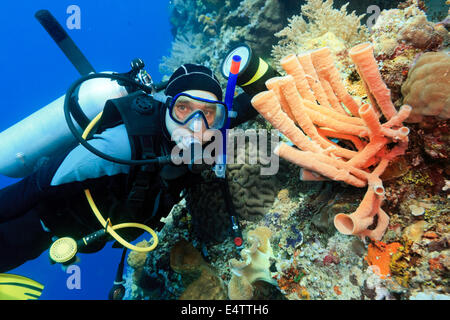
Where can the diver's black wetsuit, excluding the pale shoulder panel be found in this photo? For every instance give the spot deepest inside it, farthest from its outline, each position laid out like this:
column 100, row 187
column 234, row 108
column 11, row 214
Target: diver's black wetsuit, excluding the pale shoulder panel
column 32, row 211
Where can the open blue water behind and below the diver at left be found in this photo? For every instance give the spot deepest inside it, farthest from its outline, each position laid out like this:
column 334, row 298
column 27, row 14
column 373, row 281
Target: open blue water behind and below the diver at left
column 35, row 72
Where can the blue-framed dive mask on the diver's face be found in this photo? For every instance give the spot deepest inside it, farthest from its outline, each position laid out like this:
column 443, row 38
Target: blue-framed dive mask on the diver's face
column 186, row 109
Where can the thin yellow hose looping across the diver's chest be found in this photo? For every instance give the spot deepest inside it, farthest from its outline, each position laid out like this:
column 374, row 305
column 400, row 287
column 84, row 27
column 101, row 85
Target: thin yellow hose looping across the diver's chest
column 107, row 224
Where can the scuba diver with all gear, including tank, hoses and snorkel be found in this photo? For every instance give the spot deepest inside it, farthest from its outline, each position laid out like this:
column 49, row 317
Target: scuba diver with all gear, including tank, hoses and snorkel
column 123, row 159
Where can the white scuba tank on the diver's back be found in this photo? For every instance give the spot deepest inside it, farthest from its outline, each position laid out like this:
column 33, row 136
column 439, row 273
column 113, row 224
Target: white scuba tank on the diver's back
column 45, row 132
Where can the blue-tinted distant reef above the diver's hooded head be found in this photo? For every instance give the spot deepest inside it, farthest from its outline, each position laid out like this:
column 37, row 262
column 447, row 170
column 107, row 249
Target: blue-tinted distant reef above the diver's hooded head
column 219, row 26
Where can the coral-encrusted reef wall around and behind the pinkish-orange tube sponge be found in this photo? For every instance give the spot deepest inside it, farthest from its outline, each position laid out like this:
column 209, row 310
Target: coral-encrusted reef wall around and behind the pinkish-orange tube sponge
column 308, row 258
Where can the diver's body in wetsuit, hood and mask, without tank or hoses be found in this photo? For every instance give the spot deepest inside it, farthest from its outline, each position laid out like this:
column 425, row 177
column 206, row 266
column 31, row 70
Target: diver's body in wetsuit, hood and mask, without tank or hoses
column 51, row 203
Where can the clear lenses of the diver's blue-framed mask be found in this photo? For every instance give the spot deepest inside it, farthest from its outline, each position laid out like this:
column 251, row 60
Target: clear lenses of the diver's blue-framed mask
column 184, row 108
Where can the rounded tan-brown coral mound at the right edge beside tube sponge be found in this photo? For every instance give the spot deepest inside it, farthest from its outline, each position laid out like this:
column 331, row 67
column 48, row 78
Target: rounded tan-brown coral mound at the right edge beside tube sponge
column 427, row 88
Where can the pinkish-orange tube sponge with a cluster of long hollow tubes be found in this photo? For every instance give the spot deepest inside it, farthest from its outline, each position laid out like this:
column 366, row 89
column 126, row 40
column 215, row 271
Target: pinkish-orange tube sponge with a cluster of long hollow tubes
column 293, row 98
